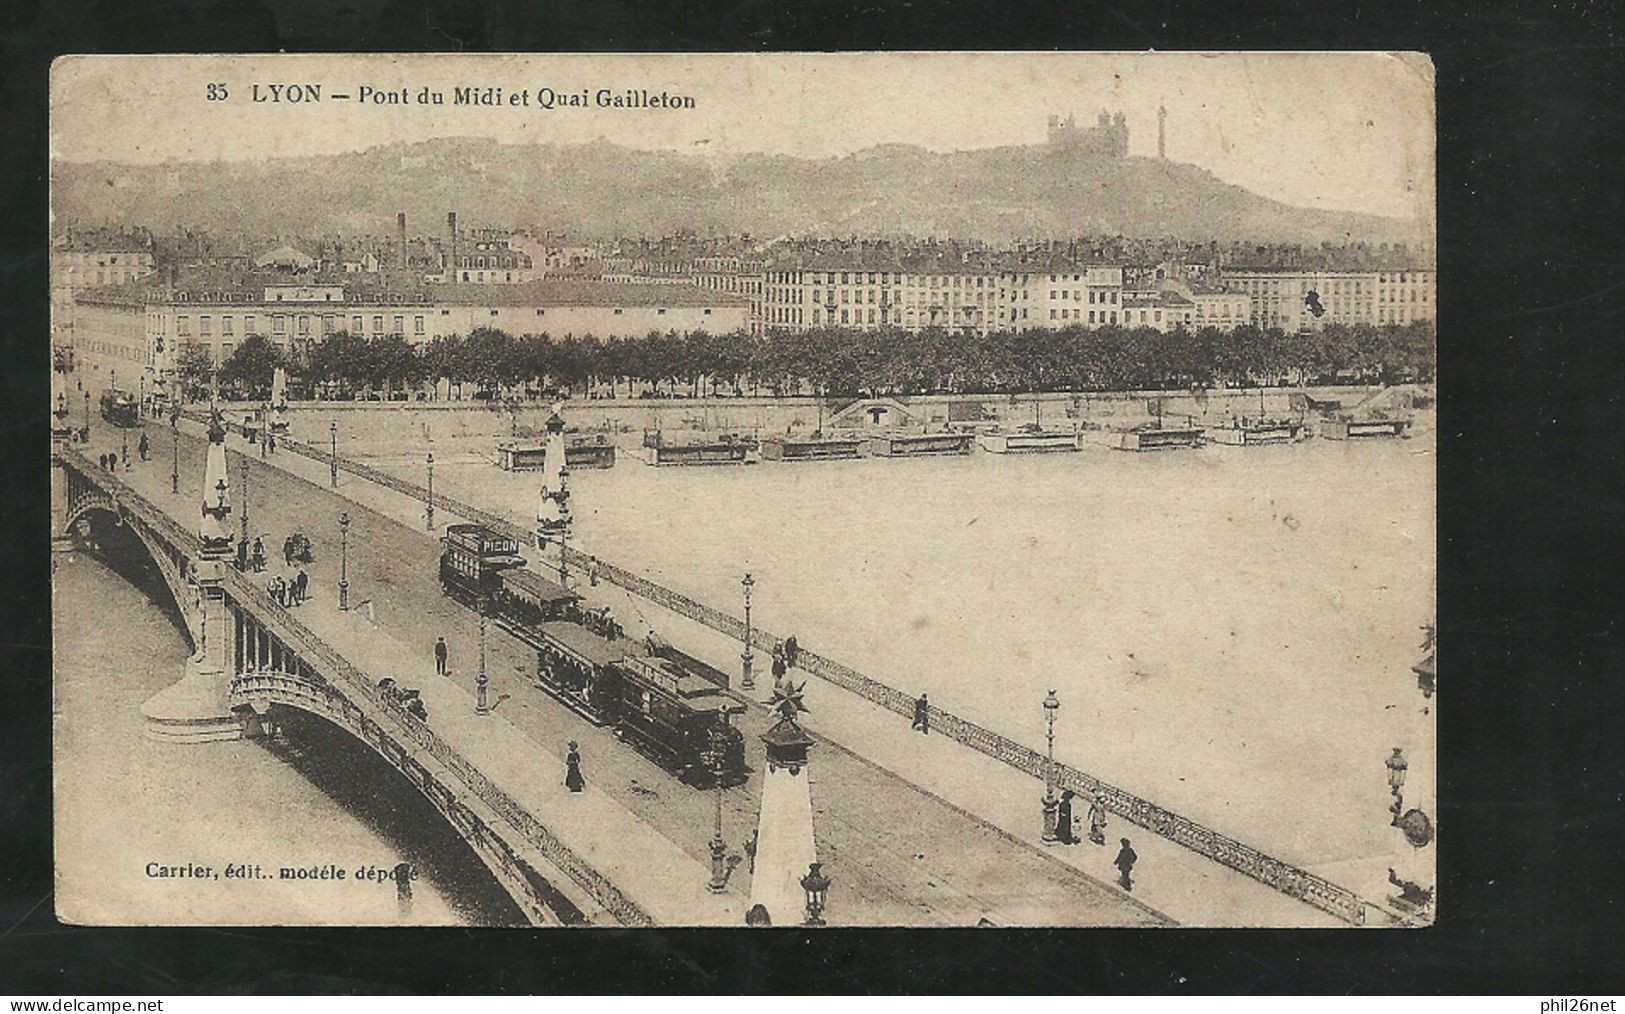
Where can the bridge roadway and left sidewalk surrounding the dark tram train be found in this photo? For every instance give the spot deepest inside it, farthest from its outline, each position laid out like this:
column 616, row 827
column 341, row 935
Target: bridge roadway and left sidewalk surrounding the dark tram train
column 904, row 856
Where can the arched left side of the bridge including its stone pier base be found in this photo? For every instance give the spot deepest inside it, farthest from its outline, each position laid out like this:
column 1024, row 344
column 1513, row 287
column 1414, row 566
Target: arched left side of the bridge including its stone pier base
column 253, row 657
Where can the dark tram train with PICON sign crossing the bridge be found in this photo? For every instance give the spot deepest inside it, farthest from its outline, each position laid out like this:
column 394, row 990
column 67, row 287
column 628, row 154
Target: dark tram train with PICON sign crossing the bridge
column 662, row 701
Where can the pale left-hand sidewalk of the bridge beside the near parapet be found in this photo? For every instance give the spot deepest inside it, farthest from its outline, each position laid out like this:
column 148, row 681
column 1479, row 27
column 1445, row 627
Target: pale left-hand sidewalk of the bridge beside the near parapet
column 633, row 856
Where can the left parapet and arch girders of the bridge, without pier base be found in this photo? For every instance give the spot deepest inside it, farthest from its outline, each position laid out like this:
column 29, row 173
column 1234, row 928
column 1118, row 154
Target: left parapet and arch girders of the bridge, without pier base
column 548, row 882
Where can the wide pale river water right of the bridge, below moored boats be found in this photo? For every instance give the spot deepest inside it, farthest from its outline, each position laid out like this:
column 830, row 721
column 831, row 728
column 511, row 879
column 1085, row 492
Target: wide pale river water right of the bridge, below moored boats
column 1231, row 631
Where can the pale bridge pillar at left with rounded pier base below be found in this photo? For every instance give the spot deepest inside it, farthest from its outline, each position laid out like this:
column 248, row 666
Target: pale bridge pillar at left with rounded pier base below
column 197, row 709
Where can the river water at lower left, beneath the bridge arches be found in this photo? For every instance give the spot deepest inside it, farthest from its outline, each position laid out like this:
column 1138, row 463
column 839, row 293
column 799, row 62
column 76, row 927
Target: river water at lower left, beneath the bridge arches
column 313, row 799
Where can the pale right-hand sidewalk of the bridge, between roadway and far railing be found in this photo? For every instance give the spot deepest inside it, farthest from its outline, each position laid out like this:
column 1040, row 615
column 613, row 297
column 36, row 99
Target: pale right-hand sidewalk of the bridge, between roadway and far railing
column 1174, row 880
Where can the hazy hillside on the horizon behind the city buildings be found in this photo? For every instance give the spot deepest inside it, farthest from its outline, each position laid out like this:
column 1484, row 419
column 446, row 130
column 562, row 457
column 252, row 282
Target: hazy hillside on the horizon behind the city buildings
column 602, row 189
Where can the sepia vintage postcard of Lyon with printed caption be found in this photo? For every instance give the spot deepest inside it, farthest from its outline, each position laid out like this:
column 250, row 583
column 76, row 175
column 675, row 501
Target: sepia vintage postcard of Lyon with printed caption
column 852, row 490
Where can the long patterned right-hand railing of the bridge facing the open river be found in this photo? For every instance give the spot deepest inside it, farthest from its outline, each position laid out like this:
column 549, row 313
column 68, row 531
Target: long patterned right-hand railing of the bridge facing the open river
column 1229, row 852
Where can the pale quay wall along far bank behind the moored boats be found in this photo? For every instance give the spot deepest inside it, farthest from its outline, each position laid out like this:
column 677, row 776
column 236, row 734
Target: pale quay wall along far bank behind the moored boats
column 384, row 427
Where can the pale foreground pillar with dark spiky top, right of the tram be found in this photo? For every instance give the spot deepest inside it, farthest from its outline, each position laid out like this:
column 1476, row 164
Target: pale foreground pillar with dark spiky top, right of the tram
column 784, row 833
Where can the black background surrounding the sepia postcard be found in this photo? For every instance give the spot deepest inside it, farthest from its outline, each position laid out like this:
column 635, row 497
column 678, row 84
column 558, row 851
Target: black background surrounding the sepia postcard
column 1532, row 324
